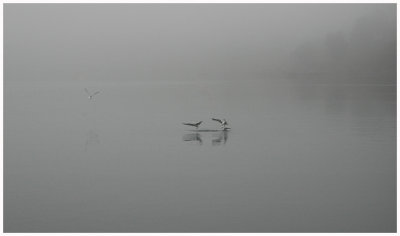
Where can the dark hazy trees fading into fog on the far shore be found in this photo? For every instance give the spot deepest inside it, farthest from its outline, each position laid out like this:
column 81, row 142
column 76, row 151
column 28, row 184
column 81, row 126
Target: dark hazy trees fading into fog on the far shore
column 365, row 54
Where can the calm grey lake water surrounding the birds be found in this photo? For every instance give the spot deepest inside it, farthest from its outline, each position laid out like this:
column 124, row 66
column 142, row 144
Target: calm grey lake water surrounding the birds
column 299, row 158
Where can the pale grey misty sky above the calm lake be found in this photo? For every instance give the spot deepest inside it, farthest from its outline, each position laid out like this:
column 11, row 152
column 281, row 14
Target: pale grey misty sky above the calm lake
column 120, row 42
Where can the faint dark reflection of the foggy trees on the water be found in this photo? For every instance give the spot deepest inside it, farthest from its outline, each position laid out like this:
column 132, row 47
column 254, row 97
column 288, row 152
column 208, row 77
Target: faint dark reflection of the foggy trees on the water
column 367, row 110
